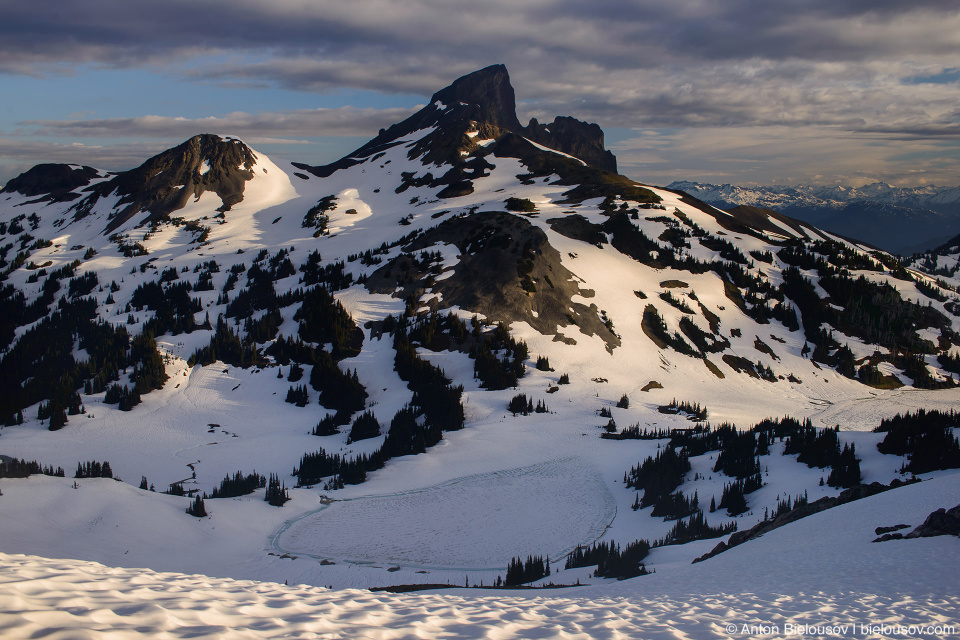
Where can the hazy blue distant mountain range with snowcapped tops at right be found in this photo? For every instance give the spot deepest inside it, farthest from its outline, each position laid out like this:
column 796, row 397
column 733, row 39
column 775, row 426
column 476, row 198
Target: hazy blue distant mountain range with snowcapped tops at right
column 897, row 219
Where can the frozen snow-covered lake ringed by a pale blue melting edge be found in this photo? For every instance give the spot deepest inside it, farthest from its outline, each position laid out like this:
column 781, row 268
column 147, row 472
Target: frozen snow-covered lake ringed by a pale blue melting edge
column 462, row 524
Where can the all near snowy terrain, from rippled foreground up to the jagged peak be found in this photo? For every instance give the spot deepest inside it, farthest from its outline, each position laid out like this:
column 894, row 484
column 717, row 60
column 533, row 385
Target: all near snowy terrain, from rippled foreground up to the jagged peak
column 468, row 354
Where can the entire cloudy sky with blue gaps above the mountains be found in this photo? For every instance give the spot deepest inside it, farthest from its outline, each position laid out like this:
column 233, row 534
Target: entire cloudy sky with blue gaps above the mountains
column 738, row 91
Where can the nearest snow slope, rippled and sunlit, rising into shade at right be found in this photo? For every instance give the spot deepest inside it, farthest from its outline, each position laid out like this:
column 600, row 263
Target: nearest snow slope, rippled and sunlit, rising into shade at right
column 820, row 576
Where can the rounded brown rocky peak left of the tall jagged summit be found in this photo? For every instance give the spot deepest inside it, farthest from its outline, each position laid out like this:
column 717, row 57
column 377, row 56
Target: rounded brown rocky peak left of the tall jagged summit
column 164, row 183
